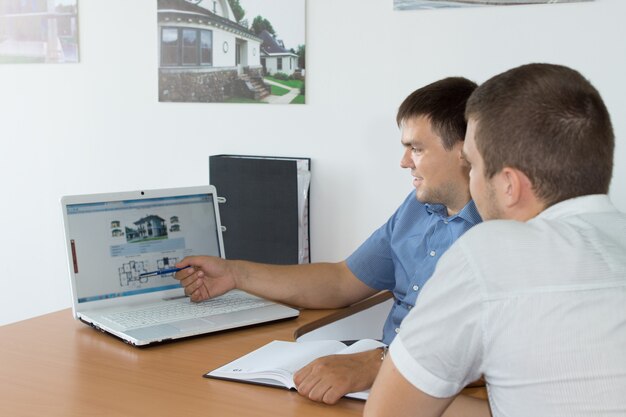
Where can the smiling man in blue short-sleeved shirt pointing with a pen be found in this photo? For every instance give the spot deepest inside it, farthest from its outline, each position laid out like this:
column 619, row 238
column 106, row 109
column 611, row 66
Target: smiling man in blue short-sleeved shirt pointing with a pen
column 400, row 256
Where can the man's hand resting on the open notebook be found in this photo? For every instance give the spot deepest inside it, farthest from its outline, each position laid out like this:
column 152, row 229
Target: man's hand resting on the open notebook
column 329, row 378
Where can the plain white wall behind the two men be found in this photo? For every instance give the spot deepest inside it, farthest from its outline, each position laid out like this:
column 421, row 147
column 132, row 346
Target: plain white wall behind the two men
column 70, row 129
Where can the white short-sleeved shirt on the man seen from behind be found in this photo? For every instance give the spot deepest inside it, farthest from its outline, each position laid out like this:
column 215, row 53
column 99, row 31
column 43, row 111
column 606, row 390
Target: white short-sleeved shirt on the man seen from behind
column 538, row 308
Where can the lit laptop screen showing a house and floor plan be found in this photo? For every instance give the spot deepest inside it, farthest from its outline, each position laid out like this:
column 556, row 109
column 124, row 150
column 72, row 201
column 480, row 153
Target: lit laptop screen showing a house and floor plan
column 129, row 247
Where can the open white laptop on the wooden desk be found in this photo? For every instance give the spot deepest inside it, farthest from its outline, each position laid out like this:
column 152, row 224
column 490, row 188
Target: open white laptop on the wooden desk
column 122, row 250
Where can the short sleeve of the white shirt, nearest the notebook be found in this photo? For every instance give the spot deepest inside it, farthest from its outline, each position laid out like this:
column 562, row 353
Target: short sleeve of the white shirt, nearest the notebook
column 439, row 348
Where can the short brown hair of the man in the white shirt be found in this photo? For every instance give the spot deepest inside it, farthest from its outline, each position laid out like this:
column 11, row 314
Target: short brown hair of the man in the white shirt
column 549, row 122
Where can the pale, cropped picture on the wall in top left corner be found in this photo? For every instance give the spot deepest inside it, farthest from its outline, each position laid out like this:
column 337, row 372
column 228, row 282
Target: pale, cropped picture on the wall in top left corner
column 38, row 31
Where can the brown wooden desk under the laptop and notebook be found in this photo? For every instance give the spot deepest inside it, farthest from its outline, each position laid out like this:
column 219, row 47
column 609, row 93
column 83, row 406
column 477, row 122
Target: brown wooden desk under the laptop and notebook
column 55, row 366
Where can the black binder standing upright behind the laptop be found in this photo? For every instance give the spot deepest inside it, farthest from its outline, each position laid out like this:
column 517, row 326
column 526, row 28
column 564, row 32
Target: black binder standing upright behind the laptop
column 262, row 216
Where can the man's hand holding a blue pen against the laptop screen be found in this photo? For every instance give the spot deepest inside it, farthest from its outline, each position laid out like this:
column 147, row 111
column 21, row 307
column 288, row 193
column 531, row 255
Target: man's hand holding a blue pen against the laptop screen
column 207, row 277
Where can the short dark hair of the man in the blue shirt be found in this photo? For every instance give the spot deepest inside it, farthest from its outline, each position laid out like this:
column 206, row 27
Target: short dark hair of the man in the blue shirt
column 443, row 102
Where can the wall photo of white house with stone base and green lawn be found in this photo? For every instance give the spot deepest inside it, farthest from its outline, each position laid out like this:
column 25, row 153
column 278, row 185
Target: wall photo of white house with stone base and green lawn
column 232, row 51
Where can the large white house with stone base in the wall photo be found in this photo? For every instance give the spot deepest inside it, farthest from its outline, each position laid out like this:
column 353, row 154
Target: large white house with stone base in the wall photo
column 205, row 55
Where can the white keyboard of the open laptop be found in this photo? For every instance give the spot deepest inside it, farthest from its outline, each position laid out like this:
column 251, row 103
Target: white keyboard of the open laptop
column 183, row 309
